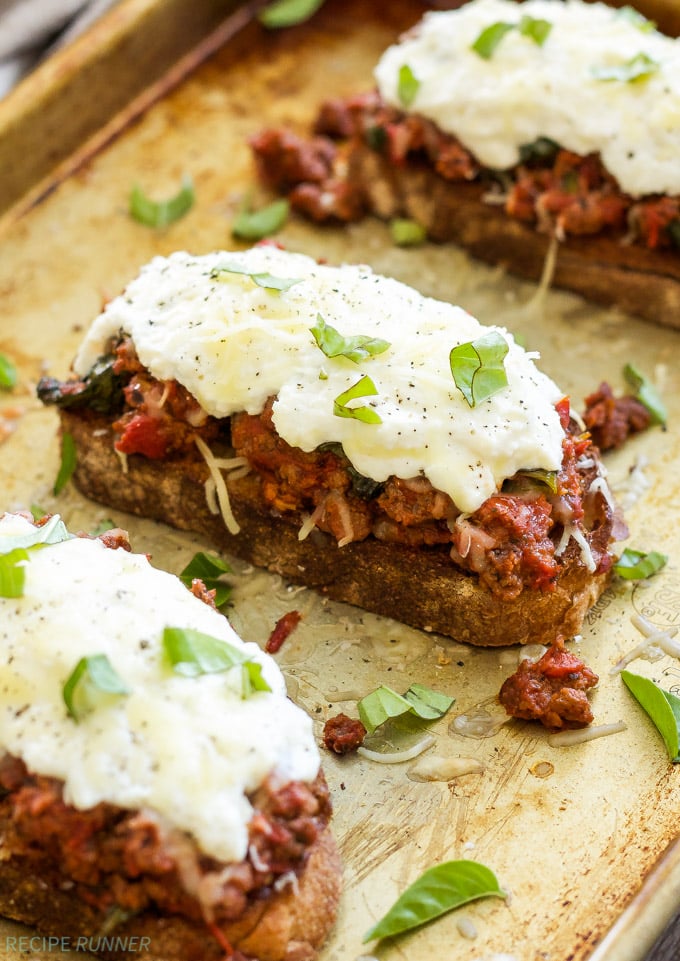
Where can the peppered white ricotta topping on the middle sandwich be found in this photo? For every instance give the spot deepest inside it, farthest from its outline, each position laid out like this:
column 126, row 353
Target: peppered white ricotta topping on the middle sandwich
column 233, row 344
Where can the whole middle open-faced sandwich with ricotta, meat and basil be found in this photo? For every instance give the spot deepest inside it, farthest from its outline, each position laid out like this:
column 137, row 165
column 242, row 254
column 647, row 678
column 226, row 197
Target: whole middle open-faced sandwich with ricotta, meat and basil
column 339, row 428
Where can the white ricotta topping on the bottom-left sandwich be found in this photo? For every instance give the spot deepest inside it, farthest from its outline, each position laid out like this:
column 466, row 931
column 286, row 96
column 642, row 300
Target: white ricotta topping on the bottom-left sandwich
column 186, row 748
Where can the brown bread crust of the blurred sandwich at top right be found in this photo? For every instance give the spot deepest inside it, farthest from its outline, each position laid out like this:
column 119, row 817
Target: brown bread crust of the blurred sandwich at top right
column 603, row 269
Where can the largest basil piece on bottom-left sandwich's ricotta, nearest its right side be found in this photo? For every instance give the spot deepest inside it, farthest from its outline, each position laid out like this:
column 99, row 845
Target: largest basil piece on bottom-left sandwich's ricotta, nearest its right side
column 192, row 653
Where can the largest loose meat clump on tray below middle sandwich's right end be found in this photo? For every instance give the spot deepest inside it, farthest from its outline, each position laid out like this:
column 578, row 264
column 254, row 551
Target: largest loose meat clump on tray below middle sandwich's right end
column 552, row 690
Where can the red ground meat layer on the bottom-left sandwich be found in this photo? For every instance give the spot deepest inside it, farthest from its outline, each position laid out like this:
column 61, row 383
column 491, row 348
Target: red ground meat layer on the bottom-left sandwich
column 118, row 858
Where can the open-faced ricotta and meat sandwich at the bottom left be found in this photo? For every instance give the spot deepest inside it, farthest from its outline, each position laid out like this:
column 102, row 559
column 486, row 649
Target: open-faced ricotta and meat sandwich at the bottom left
column 160, row 794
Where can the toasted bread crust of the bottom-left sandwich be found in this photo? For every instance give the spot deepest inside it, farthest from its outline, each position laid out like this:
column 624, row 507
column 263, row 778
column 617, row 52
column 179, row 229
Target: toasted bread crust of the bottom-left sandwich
column 292, row 925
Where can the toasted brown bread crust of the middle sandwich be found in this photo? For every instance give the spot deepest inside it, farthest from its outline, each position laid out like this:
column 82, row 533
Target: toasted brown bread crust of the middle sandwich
column 420, row 587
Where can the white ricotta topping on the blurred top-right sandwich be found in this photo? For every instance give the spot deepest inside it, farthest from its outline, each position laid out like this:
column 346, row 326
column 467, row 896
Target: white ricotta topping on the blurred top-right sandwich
column 525, row 90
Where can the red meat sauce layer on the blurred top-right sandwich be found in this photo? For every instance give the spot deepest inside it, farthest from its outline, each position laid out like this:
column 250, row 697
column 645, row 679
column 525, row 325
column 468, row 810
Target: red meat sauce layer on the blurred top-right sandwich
column 559, row 191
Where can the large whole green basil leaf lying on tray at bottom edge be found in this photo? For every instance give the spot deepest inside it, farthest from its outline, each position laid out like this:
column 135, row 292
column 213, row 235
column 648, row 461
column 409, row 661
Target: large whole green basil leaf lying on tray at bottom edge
column 439, row 890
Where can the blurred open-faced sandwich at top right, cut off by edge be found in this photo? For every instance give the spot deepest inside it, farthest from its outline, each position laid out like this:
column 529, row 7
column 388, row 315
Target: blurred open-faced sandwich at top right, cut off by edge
column 501, row 126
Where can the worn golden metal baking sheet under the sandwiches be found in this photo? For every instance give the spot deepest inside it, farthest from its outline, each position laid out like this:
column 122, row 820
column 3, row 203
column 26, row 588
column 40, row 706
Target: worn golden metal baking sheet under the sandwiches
column 571, row 833
